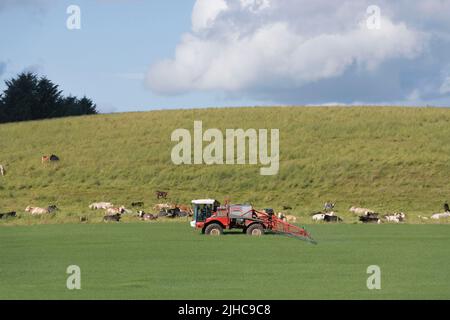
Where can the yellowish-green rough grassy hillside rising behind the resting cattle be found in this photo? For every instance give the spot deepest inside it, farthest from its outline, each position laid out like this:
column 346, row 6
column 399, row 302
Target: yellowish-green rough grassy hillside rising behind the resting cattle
column 387, row 159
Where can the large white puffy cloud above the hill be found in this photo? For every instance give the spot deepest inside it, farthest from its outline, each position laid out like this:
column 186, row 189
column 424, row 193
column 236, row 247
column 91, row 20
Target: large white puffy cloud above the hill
column 262, row 47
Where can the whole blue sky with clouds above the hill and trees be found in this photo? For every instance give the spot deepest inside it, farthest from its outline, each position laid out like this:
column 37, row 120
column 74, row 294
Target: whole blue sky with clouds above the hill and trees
column 139, row 55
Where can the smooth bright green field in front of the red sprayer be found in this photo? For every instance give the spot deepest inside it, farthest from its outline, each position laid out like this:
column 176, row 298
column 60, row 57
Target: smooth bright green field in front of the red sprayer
column 171, row 261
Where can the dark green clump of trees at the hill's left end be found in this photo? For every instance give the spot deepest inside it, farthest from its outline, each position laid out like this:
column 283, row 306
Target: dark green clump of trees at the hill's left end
column 30, row 97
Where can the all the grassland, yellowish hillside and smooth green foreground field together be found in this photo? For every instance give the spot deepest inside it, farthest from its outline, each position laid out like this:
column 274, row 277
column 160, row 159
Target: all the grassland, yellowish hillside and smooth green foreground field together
column 387, row 159
